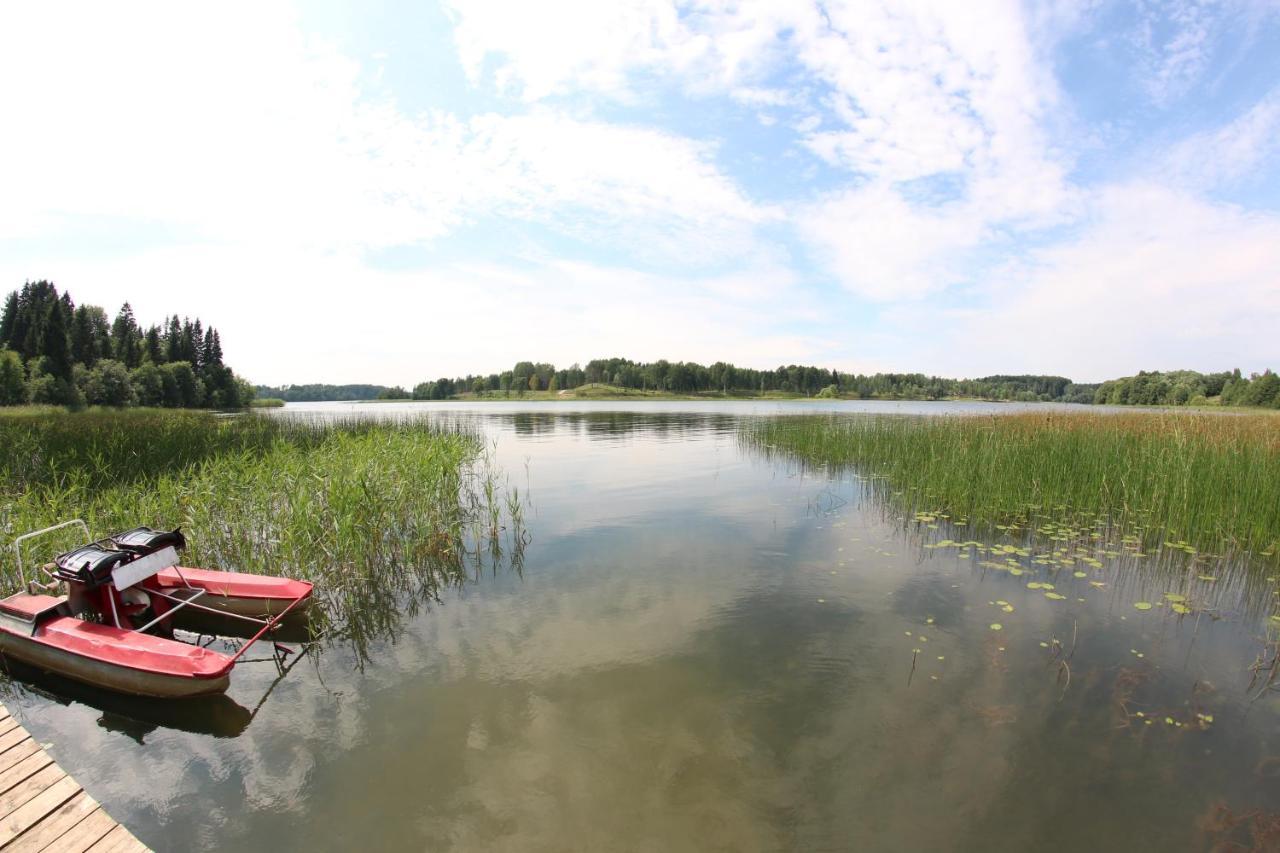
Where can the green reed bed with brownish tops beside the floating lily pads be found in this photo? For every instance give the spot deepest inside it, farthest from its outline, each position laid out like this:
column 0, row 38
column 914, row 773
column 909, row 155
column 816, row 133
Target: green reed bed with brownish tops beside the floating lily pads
column 1201, row 481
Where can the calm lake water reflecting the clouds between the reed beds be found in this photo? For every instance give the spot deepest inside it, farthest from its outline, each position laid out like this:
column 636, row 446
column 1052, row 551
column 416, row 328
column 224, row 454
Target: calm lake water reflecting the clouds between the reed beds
column 710, row 649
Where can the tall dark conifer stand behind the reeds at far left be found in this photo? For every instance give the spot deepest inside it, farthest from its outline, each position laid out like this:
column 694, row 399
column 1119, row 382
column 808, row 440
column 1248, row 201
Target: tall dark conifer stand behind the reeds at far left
column 57, row 353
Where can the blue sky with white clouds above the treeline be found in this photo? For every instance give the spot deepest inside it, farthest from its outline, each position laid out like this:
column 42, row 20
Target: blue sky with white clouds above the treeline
column 392, row 193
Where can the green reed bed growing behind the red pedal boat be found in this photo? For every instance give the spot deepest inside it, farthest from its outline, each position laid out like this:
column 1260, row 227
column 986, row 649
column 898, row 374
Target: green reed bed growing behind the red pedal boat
column 380, row 514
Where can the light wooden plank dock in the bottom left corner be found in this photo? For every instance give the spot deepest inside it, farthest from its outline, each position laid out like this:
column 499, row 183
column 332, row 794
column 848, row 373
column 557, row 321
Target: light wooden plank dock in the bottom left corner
column 43, row 809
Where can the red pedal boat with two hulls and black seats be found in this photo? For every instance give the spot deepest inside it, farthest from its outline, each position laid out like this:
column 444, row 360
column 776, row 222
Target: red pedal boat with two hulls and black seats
column 125, row 596
